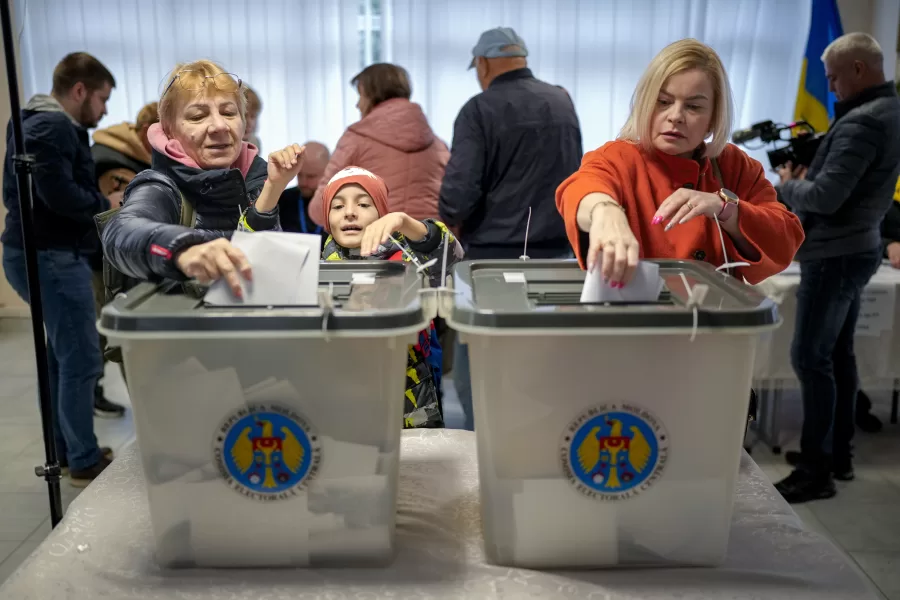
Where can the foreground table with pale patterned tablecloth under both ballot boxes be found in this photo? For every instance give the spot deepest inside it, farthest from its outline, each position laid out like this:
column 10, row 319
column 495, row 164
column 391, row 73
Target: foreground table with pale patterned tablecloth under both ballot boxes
column 103, row 548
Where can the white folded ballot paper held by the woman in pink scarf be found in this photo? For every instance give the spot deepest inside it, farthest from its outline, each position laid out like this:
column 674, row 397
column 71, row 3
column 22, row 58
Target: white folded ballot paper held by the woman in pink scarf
column 285, row 270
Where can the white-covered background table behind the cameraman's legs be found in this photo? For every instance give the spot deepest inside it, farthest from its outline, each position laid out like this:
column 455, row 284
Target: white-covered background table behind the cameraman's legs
column 877, row 345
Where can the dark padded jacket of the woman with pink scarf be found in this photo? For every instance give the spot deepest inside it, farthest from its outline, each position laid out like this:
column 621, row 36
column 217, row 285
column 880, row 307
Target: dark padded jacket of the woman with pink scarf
column 143, row 239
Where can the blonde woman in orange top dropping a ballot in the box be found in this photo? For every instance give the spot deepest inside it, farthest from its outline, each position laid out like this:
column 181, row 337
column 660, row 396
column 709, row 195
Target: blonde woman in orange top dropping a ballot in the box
column 655, row 192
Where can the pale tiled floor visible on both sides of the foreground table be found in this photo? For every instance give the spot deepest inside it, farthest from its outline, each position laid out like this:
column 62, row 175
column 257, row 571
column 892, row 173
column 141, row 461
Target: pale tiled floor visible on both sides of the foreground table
column 863, row 520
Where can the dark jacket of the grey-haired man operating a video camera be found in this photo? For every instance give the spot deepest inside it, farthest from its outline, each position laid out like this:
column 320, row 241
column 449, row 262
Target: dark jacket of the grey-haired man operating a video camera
column 849, row 185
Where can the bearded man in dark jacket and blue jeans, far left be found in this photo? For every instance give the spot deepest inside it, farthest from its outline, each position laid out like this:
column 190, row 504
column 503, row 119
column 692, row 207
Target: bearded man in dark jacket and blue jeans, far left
column 66, row 198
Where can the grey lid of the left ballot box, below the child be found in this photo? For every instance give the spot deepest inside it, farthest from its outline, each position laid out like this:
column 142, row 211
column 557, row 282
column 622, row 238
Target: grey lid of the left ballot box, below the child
column 354, row 296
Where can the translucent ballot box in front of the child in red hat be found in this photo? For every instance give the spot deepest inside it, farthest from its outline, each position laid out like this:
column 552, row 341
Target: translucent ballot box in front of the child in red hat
column 270, row 435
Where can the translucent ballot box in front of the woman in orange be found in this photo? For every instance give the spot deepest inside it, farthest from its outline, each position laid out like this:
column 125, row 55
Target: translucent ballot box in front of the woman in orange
column 606, row 436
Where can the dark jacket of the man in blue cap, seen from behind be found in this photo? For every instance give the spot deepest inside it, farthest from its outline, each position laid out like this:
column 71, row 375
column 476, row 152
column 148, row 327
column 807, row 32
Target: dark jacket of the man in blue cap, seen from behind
column 513, row 144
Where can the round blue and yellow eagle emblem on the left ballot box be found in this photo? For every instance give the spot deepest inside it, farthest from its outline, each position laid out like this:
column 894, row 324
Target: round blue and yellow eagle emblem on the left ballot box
column 267, row 452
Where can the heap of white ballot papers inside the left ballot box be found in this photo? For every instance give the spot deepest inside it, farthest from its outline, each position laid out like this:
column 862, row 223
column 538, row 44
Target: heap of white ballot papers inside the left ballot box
column 345, row 513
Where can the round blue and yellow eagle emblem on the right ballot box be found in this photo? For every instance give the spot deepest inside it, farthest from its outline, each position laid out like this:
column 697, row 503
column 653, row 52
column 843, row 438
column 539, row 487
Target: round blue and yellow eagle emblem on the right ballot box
column 614, row 452
